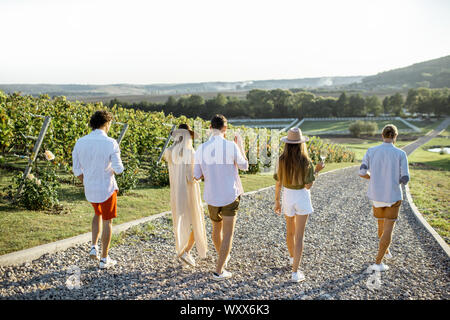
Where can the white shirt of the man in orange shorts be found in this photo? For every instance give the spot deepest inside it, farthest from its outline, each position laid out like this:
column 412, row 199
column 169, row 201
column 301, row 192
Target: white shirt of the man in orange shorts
column 97, row 157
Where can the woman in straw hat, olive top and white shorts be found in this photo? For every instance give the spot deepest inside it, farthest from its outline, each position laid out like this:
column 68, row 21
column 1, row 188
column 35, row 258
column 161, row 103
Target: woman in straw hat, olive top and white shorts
column 295, row 175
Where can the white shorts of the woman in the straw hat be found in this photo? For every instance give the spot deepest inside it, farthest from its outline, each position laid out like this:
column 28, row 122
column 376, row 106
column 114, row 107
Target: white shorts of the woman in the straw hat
column 296, row 202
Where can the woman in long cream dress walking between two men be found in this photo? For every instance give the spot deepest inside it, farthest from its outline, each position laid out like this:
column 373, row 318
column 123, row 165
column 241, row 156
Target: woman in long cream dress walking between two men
column 185, row 197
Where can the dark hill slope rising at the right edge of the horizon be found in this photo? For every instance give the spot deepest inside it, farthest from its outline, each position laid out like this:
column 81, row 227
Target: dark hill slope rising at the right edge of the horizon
column 432, row 73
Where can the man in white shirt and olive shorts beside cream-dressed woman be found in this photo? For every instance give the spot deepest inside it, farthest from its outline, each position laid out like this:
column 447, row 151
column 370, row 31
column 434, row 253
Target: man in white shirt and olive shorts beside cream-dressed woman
column 218, row 161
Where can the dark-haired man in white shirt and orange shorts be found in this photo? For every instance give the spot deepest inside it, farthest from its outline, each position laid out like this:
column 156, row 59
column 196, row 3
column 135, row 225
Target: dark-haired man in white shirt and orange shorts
column 96, row 159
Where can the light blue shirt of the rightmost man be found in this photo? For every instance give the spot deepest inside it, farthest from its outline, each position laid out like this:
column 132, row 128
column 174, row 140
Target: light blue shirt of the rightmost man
column 388, row 167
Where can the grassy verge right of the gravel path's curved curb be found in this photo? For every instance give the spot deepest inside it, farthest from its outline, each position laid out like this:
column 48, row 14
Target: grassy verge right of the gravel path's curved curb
column 430, row 184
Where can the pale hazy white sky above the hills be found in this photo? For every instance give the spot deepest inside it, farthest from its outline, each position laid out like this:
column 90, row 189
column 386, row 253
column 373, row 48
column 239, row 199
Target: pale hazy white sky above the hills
column 168, row 41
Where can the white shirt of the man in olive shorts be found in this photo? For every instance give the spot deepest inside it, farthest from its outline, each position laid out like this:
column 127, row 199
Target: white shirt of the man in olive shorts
column 218, row 160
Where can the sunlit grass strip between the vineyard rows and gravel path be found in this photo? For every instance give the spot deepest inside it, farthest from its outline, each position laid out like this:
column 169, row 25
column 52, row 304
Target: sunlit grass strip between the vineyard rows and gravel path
column 21, row 229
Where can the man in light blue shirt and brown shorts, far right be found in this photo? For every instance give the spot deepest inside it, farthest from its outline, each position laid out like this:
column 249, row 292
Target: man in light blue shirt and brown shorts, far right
column 386, row 167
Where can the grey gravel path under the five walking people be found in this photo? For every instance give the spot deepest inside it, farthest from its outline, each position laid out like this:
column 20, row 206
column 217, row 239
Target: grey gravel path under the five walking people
column 340, row 243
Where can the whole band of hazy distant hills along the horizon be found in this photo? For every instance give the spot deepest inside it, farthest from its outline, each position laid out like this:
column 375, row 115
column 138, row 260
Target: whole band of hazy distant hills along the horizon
column 433, row 73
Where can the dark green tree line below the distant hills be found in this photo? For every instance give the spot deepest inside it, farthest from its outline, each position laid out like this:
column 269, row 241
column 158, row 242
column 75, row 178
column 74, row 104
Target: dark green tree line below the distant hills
column 279, row 103
